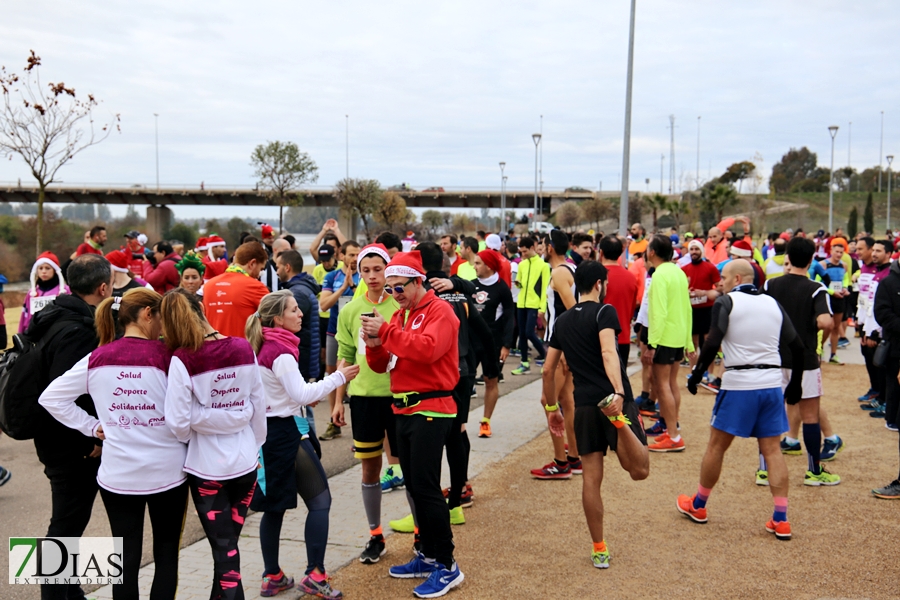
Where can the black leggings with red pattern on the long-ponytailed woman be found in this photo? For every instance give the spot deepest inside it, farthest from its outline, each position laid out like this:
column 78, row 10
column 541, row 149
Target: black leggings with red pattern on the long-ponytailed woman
column 222, row 507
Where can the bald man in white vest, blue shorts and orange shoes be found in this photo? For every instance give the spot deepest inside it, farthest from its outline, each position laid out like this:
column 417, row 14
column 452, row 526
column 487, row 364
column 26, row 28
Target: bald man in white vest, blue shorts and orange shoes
column 750, row 328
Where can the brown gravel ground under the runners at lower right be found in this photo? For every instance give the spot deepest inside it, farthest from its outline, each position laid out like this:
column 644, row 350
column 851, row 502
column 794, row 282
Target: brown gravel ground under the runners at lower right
column 520, row 526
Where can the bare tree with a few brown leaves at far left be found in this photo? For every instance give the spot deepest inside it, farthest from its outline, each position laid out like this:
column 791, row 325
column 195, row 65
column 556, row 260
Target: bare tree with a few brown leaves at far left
column 45, row 126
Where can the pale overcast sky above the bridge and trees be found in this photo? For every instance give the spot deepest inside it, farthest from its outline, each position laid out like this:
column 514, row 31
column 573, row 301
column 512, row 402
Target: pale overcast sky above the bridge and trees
column 439, row 92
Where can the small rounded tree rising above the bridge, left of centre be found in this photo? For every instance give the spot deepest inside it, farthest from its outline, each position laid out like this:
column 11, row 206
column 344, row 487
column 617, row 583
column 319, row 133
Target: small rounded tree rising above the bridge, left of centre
column 279, row 168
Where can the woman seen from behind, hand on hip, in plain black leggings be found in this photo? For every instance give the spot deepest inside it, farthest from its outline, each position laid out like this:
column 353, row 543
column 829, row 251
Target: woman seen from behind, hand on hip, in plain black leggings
column 142, row 461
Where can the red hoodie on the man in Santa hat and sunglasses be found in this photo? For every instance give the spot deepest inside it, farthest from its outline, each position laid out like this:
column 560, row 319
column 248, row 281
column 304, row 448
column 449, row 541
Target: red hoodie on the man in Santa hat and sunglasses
column 426, row 347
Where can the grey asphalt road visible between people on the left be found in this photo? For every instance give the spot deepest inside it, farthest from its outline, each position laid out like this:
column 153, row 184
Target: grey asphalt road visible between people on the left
column 25, row 501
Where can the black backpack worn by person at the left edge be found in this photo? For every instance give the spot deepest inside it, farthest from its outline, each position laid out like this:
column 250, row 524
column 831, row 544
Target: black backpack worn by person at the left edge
column 23, row 377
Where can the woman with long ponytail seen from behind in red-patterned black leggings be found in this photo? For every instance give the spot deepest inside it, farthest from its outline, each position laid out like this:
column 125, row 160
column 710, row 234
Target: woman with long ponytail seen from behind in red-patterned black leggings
column 215, row 404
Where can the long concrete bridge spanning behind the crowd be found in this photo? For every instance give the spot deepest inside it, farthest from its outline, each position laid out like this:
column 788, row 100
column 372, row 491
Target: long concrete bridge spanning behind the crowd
column 159, row 213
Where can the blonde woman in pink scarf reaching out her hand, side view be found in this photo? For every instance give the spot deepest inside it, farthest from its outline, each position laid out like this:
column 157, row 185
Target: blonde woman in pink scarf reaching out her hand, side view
column 289, row 463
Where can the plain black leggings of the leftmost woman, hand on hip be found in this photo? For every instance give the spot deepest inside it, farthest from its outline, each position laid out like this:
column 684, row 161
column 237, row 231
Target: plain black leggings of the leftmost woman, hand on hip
column 126, row 520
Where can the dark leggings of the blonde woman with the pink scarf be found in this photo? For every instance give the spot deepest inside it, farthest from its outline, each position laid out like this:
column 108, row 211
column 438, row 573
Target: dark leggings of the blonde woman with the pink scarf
column 312, row 485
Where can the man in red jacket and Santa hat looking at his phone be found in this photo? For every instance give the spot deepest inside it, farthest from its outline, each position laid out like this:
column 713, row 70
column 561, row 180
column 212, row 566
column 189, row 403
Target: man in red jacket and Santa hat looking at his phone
column 420, row 349
